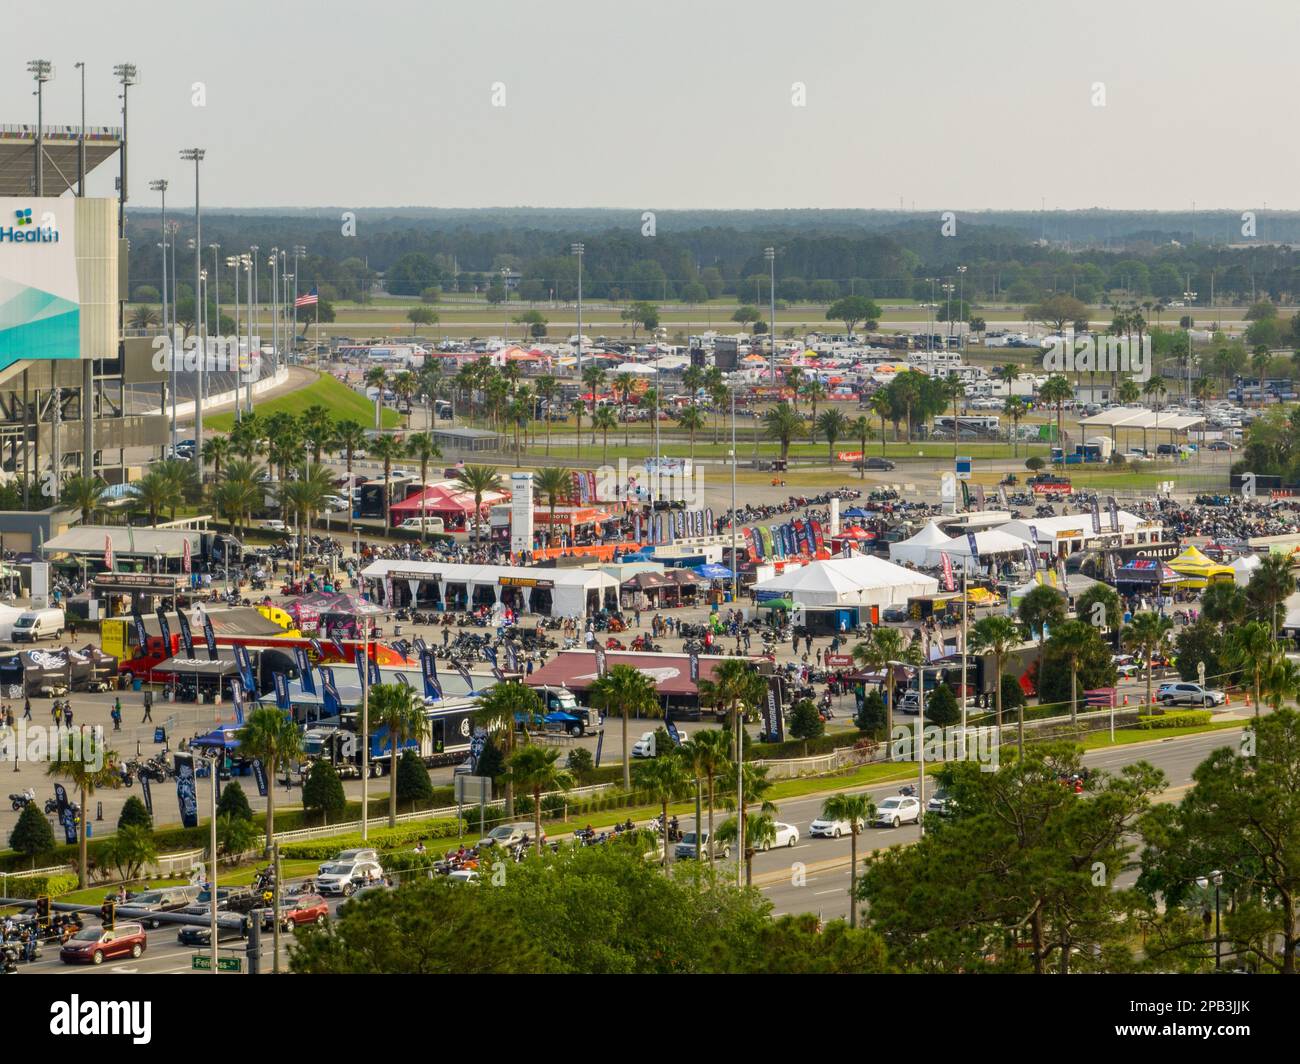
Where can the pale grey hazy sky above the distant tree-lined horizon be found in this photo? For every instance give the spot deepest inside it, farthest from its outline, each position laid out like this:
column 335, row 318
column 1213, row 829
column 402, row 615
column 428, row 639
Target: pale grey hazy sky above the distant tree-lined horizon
column 946, row 105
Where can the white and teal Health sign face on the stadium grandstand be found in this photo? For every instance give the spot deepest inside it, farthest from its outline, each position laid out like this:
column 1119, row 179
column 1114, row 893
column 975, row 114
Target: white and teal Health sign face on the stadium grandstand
column 40, row 297
